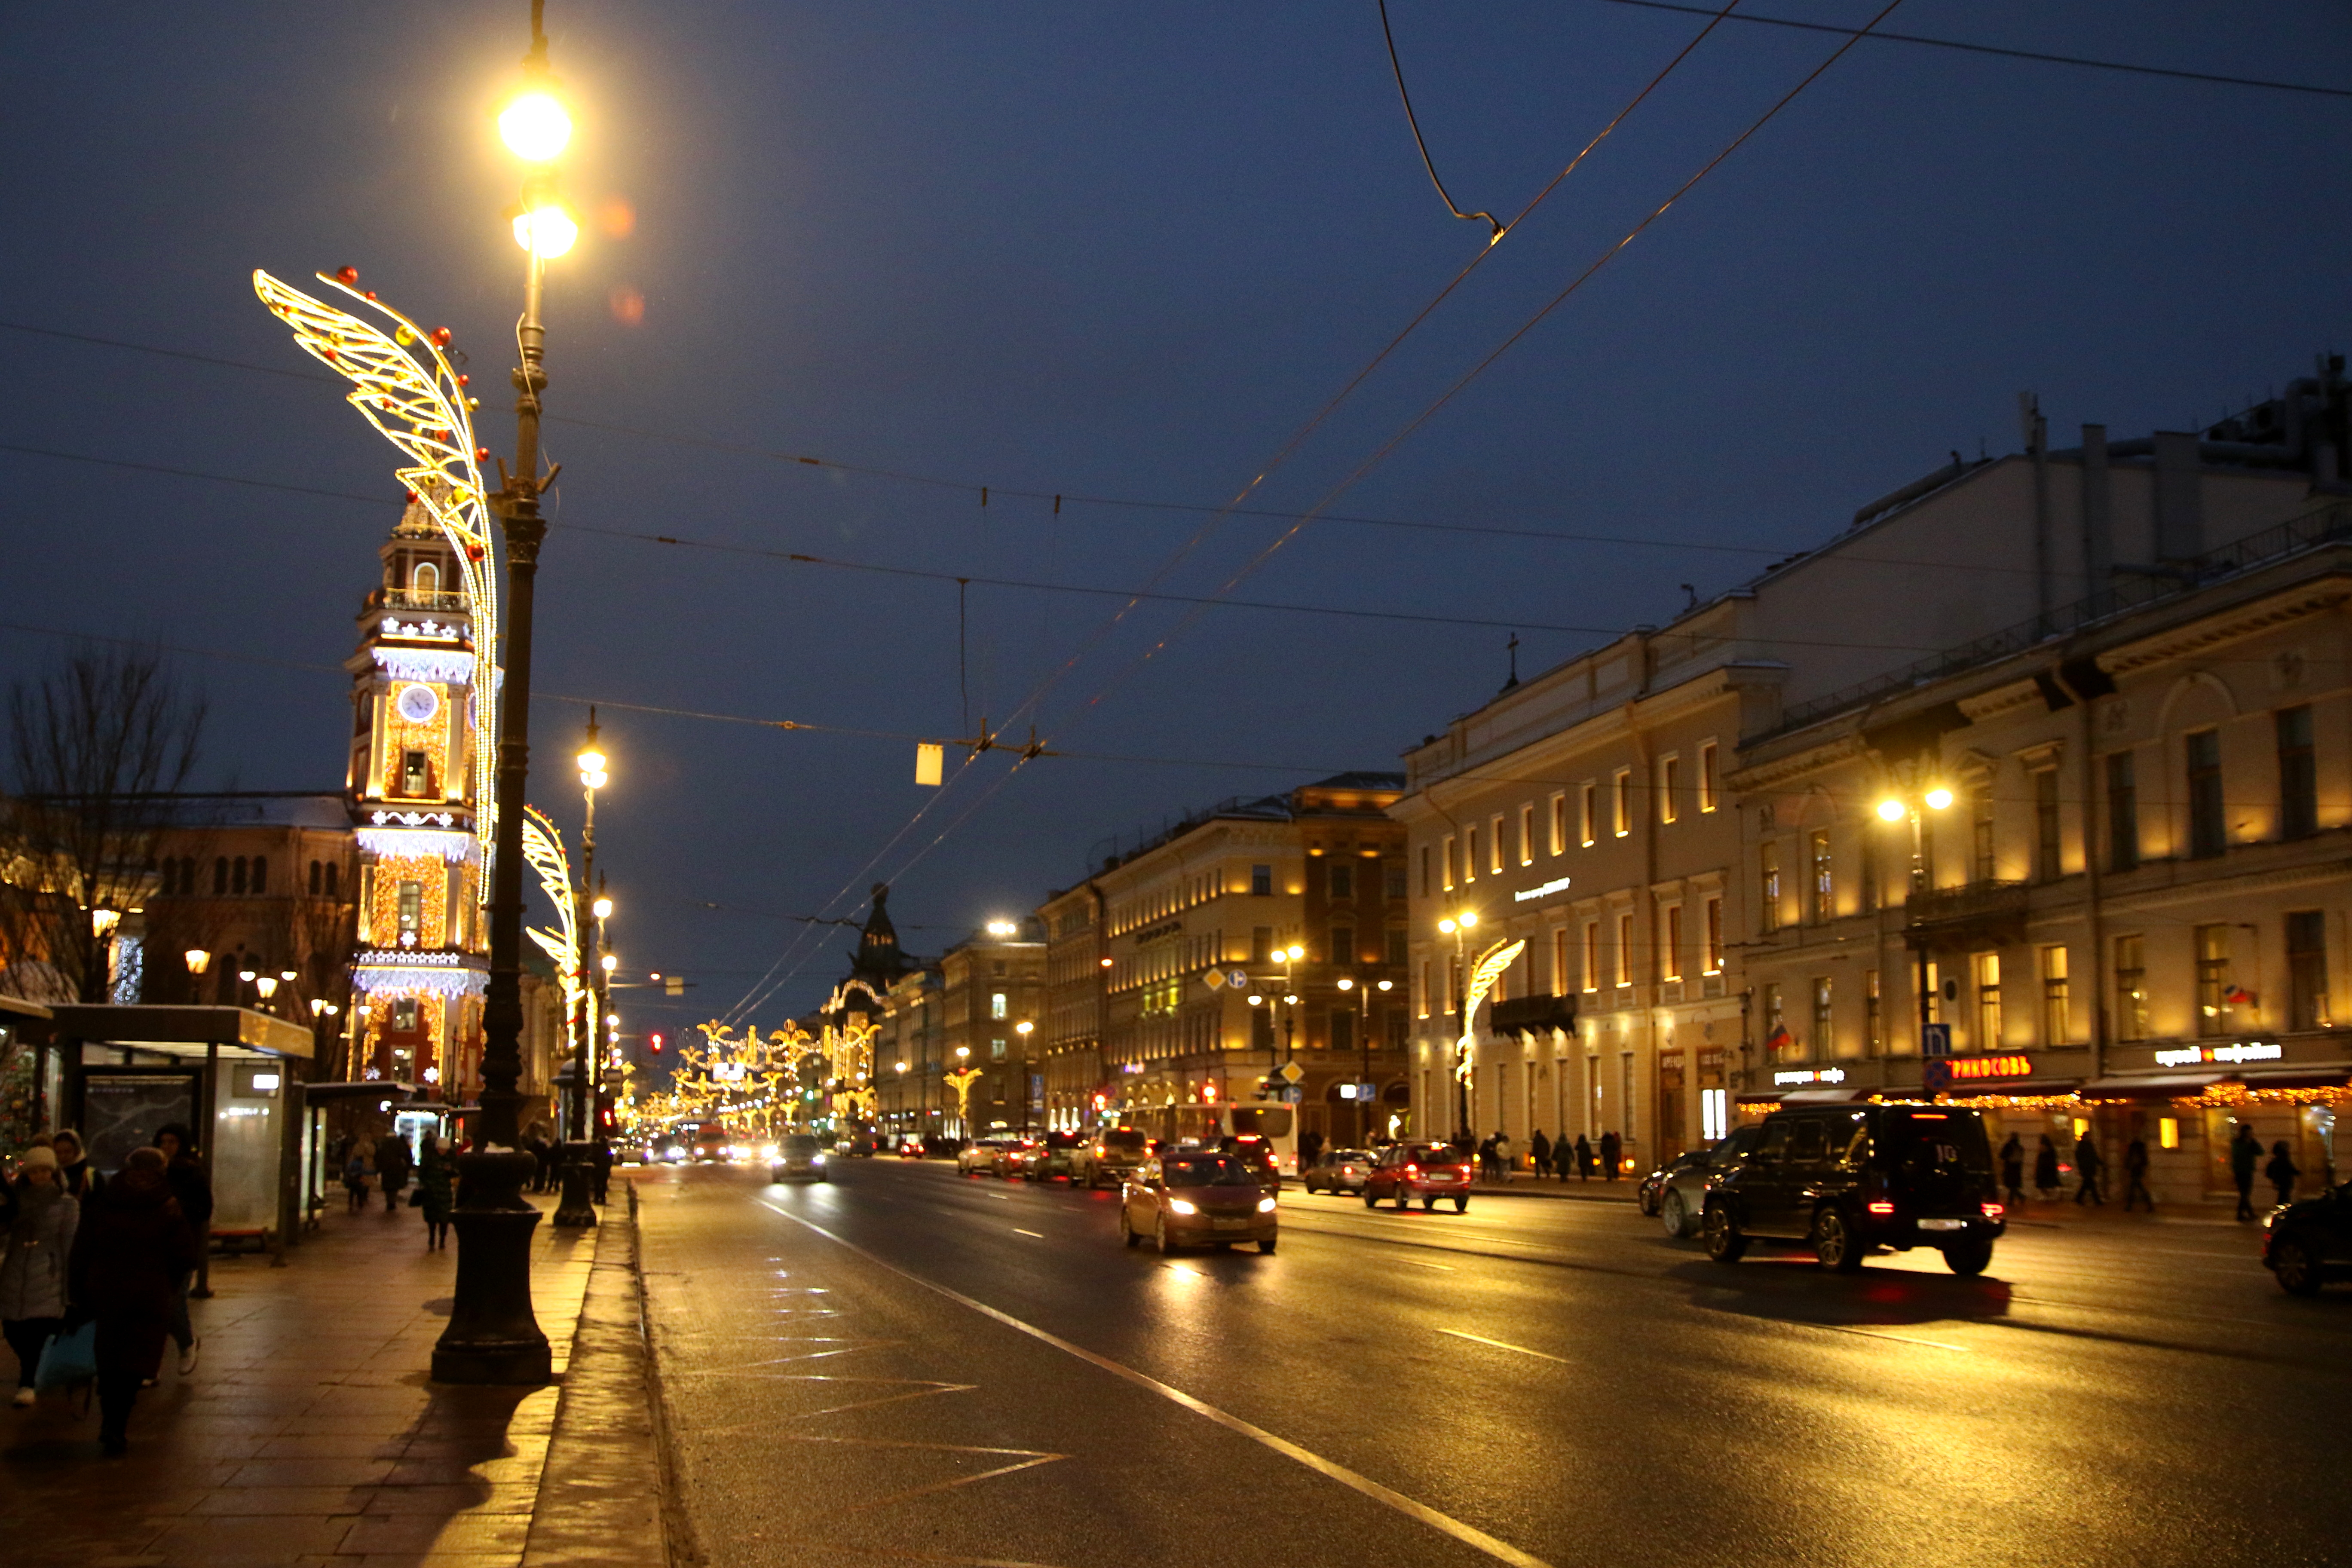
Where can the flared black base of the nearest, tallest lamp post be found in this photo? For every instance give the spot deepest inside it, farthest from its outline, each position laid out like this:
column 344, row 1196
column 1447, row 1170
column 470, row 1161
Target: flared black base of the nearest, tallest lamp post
column 493, row 1332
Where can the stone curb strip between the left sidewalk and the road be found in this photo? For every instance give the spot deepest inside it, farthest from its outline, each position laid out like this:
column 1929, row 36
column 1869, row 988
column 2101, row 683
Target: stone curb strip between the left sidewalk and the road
column 603, row 1494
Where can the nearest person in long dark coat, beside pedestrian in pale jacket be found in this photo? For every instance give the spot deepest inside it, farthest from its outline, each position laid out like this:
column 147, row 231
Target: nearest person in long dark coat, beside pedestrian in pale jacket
column 128, row 1254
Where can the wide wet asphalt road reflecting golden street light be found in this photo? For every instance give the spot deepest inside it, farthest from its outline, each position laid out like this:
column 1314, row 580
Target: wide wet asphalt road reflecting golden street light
column 911, row 1367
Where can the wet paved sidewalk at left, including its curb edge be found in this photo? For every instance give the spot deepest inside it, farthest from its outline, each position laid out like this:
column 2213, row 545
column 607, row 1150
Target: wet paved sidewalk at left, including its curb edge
column 314, row 1435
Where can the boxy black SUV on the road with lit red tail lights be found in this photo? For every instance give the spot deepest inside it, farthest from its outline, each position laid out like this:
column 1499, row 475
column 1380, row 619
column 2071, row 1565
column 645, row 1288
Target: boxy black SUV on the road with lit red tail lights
column 1850, row 1179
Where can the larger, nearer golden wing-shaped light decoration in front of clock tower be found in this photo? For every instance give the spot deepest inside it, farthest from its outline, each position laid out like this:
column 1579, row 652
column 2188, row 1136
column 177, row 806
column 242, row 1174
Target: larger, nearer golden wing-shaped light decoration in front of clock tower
column 406, row 387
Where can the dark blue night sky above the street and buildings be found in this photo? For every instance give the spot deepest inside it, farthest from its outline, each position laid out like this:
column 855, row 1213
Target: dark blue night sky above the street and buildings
column 1085, row 250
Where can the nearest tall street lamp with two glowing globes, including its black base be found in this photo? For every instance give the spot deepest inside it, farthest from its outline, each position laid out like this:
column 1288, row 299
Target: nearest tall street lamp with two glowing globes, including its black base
column 493, row 1334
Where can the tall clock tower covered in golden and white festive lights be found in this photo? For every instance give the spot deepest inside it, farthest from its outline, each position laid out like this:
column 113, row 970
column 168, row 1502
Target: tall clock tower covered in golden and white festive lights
column 422, row 944
